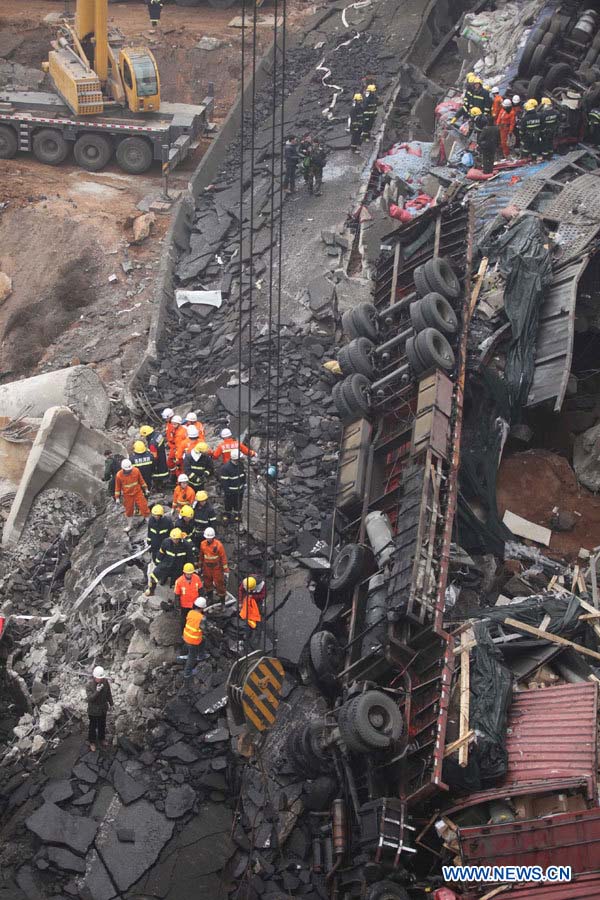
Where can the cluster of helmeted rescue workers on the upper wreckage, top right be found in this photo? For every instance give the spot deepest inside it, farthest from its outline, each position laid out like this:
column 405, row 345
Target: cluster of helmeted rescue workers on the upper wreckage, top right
column 503, row 123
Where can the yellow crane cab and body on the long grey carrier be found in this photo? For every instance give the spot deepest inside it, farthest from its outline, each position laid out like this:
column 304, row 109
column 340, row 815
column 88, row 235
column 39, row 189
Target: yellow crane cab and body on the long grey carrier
column 93, row 71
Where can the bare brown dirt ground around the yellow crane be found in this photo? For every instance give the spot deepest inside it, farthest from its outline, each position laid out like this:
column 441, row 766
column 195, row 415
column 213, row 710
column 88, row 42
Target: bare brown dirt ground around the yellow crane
column 64, row 231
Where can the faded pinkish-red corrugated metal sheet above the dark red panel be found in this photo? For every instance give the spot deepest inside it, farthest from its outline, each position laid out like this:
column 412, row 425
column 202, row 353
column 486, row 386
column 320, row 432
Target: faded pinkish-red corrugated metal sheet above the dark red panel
column 551, row 744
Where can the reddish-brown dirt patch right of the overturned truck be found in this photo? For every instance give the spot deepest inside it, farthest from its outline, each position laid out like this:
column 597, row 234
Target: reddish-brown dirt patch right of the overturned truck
column 530, row 484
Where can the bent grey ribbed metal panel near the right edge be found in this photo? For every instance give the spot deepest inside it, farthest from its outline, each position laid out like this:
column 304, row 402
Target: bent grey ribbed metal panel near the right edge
column 554, row 347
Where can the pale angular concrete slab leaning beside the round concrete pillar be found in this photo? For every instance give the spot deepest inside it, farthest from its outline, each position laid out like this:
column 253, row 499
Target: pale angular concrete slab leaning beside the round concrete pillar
column 65, row 454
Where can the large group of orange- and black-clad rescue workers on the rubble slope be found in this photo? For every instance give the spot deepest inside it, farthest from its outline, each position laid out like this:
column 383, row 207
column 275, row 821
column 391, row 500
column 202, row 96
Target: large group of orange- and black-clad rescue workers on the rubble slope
column 183, row 544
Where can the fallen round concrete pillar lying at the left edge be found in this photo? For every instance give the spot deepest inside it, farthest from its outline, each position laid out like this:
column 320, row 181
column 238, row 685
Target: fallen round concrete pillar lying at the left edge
column 78, row 387
